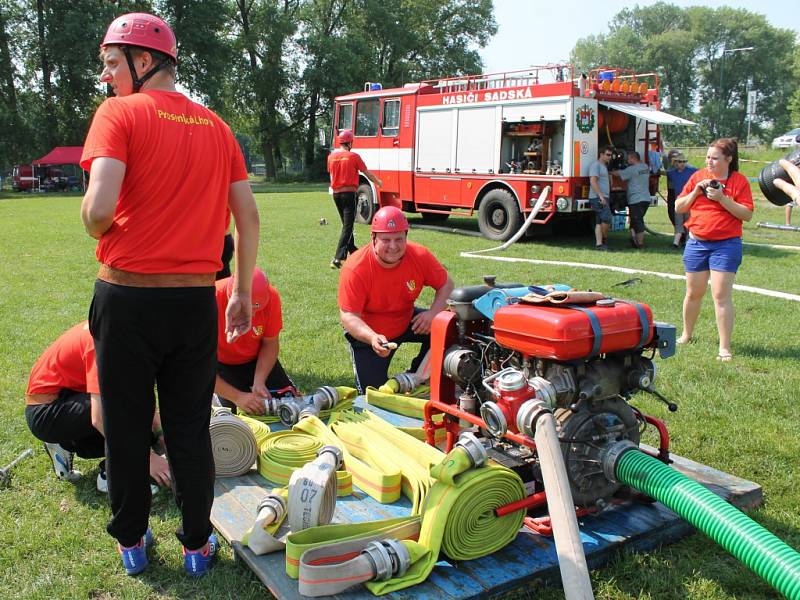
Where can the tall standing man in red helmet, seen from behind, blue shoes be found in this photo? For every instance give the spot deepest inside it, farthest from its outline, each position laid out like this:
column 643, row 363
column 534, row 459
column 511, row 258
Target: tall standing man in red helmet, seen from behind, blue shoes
column 164, row 173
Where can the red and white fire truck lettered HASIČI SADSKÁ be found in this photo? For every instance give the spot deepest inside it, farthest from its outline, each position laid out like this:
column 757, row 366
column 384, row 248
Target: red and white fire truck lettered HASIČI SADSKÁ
column 491, row 143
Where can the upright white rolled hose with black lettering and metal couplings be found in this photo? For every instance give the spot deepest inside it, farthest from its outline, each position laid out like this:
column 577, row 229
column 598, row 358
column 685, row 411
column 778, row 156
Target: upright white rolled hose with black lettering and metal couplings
column 310, row 501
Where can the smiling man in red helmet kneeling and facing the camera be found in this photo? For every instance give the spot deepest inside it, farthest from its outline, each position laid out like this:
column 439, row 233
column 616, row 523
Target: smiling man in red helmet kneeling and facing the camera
column 377, row 290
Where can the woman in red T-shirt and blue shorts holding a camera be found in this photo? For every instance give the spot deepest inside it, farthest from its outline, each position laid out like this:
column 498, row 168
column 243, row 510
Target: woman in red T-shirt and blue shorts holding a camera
column 720, row 200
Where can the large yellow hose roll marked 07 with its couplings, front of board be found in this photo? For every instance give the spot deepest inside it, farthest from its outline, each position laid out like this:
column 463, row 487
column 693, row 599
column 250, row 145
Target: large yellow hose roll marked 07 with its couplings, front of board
column 458, row 519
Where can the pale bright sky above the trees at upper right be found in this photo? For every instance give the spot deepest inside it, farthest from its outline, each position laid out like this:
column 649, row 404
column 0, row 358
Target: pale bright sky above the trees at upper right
column 536, row 32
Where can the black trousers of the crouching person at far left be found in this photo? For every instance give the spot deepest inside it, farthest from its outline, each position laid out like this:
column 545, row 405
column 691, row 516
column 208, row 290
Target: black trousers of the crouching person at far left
column 67, row 421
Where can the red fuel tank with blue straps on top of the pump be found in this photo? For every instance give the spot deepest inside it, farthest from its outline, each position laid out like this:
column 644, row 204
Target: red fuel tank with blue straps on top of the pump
column 560, row 332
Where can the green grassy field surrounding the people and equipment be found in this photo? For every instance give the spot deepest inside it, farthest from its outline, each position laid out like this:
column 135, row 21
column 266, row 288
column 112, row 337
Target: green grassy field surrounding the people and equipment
column 741, row 417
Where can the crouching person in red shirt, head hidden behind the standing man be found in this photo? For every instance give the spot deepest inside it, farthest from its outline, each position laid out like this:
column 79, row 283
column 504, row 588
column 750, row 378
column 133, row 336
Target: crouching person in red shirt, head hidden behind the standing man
column 62, row 407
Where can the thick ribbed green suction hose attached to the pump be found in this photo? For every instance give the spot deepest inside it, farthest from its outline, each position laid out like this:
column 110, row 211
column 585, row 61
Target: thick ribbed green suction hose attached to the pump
column 770, row 558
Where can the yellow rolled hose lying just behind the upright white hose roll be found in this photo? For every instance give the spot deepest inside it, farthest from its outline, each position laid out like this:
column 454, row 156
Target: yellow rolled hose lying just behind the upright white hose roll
column 284, row 452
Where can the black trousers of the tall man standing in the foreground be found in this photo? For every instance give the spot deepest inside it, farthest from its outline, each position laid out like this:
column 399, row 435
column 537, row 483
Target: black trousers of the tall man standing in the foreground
column 164, row 338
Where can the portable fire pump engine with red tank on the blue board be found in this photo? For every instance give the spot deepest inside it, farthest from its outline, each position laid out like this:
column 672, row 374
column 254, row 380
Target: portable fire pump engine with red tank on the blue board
column 497, row 361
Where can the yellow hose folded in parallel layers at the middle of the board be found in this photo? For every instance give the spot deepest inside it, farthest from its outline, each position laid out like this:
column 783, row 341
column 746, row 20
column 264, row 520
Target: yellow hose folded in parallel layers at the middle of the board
column 376, row 442
